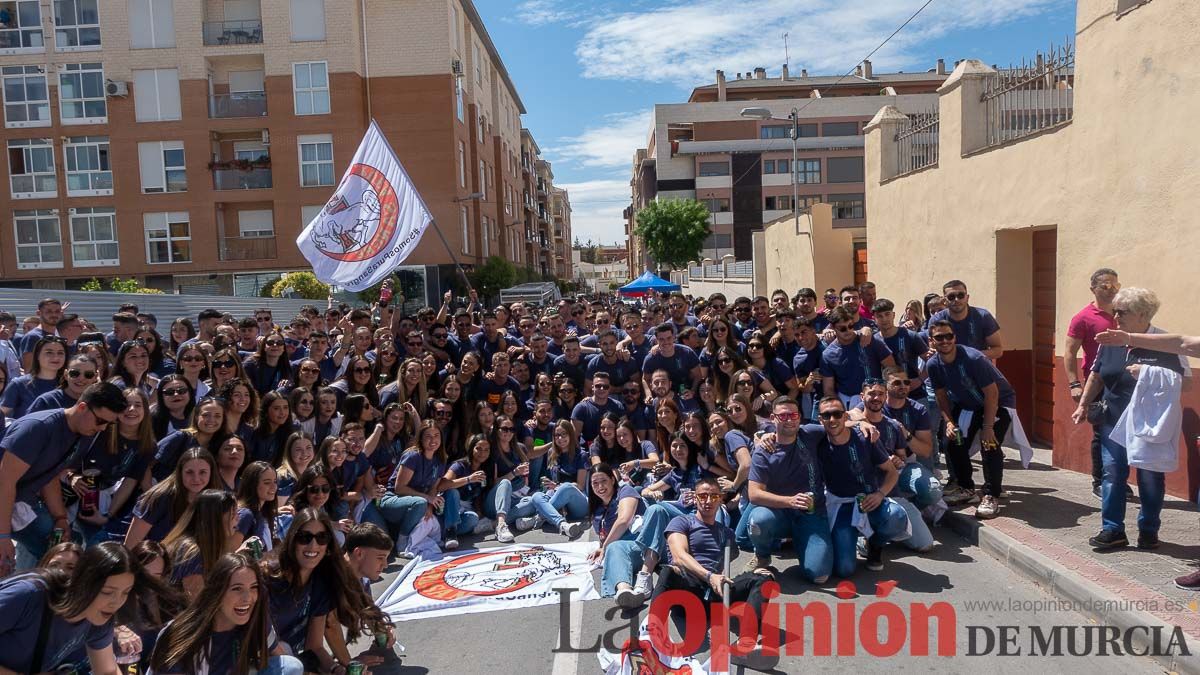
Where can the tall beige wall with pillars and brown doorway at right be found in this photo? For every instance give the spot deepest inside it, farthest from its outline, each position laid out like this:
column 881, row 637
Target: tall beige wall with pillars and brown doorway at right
column 1118, row 182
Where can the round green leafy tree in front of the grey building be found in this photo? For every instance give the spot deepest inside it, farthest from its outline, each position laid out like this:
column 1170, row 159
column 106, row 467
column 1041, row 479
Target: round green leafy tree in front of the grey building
column 674, row 231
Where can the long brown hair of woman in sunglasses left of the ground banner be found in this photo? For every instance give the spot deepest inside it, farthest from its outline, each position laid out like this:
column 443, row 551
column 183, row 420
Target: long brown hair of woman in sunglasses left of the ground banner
column 356, row 611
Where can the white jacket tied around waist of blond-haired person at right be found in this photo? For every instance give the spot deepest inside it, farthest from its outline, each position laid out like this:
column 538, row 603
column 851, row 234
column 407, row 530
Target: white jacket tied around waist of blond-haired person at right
column 1153, row 423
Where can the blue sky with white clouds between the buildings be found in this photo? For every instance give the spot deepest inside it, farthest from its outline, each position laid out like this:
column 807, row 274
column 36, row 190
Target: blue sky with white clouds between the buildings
column 590, row 73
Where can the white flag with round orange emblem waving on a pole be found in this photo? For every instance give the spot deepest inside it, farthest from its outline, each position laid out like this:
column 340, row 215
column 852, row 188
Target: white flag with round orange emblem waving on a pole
column 371, row 224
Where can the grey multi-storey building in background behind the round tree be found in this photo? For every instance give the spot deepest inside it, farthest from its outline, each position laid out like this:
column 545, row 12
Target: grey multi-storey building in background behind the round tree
column 742, row 169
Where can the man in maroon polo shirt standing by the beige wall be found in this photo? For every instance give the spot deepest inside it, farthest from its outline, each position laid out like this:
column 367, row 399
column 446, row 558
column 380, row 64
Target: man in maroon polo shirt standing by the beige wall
column 1093, row 320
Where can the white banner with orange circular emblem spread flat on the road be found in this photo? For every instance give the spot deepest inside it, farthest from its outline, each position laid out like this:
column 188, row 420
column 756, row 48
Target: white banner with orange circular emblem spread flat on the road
column 490, row 580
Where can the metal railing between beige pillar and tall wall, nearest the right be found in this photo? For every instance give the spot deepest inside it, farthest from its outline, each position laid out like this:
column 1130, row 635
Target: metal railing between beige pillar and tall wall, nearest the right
column 1031, row 98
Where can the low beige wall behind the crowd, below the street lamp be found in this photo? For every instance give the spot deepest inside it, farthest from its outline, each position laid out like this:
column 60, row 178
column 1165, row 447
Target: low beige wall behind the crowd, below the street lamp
column 791, row 264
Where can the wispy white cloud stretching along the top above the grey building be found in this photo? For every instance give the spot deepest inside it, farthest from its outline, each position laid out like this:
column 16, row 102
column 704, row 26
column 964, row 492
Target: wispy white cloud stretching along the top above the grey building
column 686, row 43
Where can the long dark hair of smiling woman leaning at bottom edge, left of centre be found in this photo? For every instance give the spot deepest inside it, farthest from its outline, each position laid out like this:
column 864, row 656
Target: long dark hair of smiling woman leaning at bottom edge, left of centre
column 185, row 642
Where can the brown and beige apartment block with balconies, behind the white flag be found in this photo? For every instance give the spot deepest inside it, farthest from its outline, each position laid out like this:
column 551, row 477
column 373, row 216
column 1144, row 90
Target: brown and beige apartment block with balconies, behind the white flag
column 188, row 144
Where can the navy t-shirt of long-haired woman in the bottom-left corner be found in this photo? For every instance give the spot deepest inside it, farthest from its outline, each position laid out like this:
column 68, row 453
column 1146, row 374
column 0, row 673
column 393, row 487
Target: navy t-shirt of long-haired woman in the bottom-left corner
column 23, row 605
